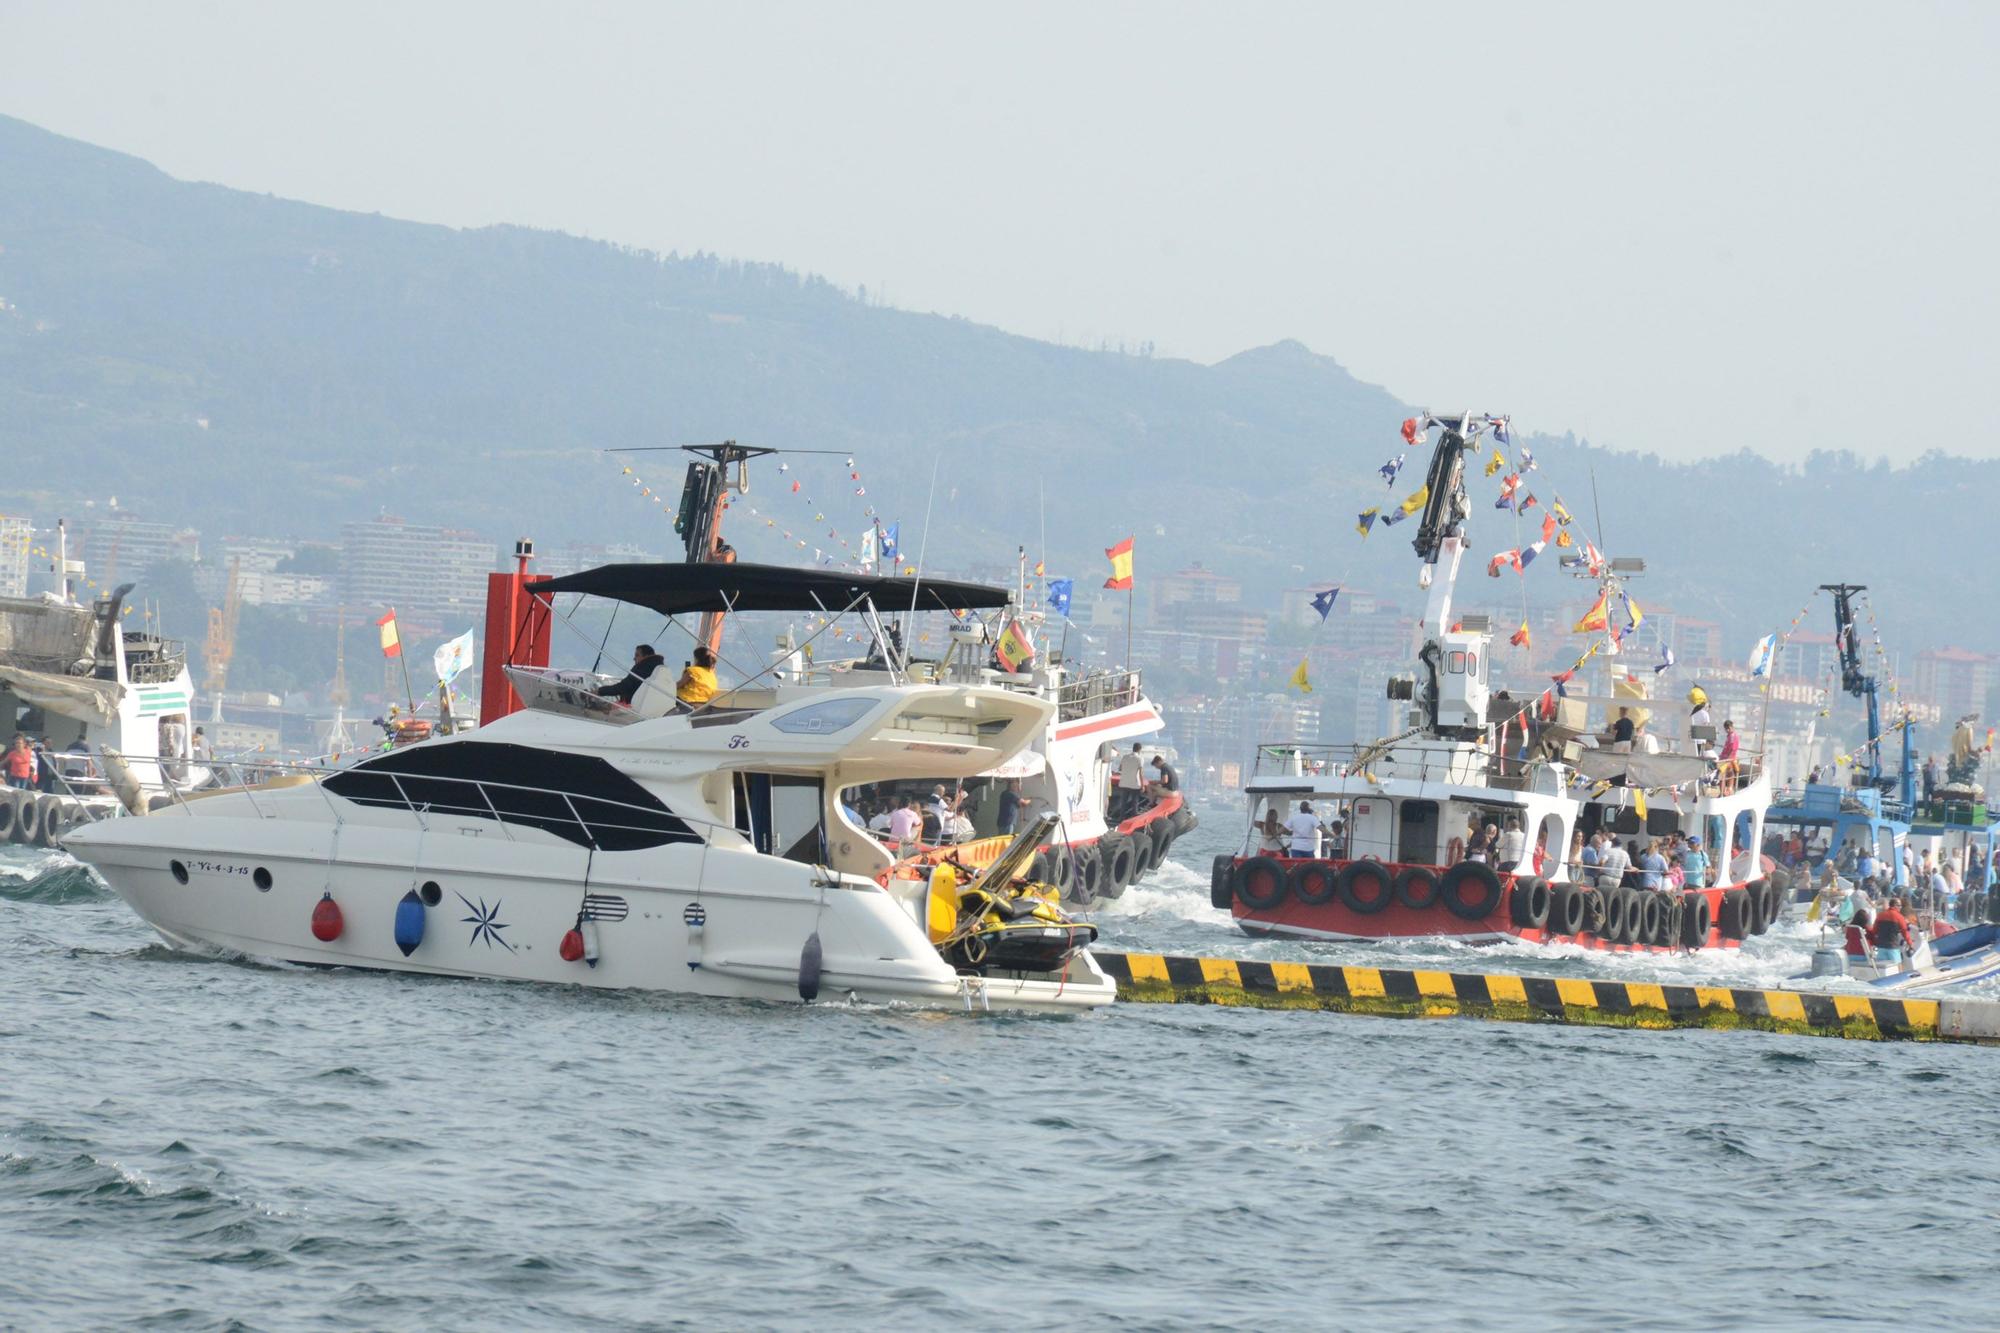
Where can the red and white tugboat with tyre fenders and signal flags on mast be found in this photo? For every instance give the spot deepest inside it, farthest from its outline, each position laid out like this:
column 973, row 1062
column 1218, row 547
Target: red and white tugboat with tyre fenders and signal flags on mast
column 1383, row 848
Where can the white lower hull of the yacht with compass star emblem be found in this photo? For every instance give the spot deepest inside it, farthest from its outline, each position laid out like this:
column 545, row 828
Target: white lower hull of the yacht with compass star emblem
column 697, row 922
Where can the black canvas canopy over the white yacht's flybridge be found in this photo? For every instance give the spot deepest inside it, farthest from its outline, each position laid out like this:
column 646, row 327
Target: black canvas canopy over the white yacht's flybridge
column 685, row 589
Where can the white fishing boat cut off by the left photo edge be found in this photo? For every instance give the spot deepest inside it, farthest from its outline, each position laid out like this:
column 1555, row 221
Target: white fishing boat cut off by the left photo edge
column 107, row 706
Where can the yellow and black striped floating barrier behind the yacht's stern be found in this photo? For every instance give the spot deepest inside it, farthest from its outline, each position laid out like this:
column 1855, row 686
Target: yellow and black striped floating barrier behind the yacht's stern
column 1167, row 980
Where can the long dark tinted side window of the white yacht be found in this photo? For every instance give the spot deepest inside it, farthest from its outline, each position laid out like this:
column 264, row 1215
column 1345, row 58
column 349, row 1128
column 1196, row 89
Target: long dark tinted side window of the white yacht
column 575, row 798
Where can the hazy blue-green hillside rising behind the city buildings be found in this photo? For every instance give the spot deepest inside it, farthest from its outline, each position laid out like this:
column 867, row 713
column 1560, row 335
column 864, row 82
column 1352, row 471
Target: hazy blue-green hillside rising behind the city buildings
column 255, row 365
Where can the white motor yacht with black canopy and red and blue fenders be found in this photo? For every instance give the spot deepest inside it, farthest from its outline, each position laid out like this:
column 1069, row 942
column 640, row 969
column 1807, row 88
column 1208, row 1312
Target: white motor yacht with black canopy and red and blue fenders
column 605, row 844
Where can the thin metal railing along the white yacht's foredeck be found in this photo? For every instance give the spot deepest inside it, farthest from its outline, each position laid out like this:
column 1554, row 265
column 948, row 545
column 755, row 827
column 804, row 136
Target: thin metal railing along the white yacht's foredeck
column 269, row 778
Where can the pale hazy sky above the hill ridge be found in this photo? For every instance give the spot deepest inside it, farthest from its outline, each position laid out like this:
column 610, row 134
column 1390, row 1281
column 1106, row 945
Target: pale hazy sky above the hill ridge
column 1675, row 227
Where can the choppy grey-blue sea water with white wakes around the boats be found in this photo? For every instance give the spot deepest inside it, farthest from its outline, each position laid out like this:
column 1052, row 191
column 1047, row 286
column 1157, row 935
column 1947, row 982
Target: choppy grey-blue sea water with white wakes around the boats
column 195, row 1144
